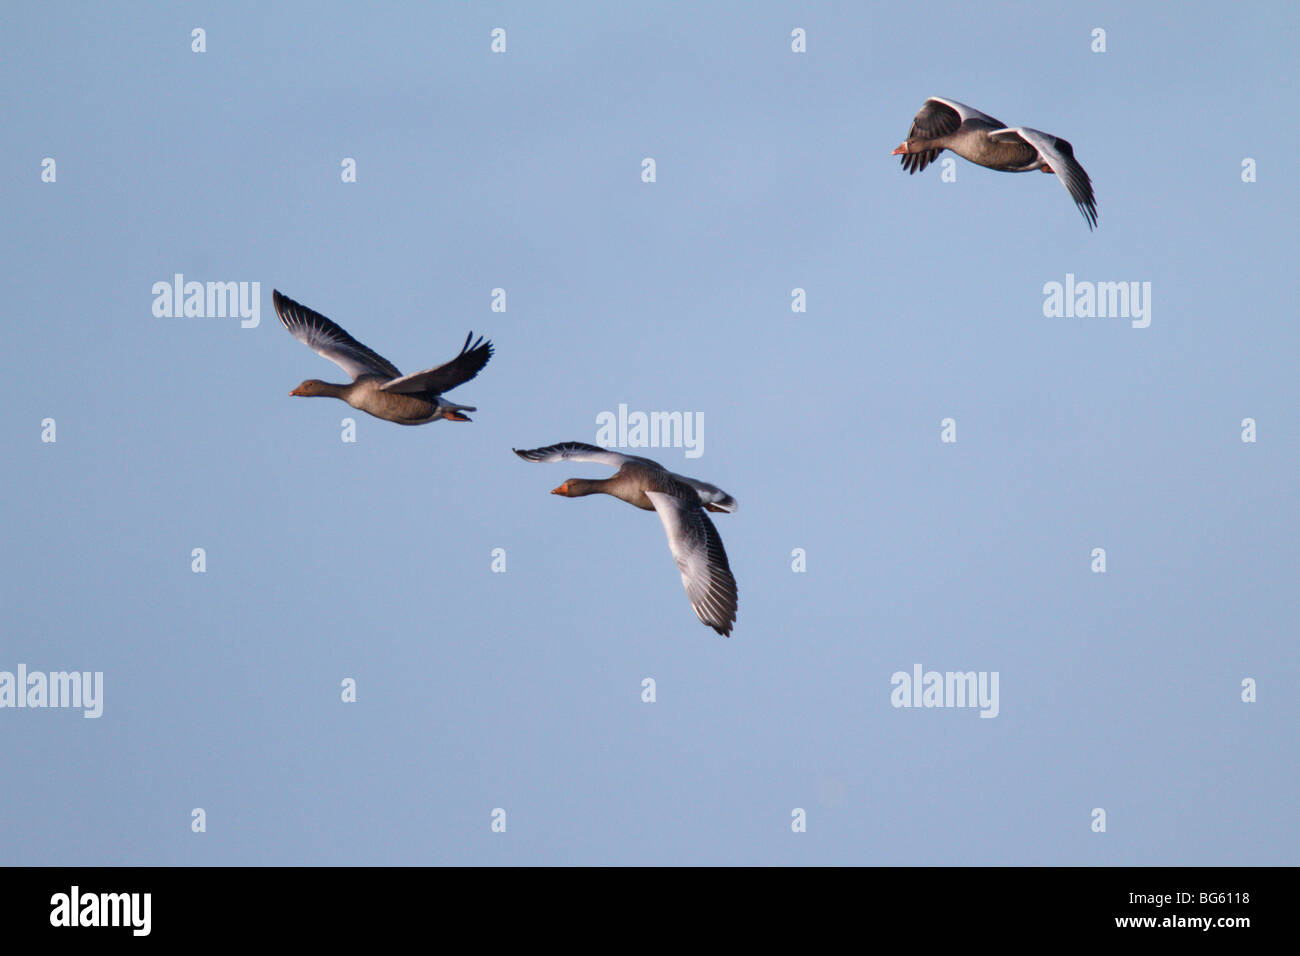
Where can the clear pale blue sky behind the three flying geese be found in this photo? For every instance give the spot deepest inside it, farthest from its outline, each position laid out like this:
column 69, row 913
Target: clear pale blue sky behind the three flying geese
column 523, row 690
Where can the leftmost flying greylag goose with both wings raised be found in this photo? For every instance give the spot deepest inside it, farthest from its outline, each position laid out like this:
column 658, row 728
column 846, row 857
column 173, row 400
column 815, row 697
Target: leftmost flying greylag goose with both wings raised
column 378, row 387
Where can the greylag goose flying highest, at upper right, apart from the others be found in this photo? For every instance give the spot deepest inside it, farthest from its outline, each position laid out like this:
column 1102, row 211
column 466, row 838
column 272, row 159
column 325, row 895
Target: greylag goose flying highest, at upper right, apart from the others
column 980, row 139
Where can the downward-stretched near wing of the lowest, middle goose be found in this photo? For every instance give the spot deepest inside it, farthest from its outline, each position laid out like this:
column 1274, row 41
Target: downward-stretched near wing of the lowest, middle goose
column 700, row 555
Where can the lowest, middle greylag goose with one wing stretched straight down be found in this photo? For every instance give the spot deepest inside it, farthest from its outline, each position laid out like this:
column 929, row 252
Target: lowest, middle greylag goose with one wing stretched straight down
column 681, row 503
